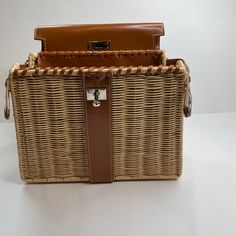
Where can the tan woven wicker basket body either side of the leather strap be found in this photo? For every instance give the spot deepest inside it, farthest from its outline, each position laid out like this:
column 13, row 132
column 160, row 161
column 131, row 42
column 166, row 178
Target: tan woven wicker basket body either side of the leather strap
column 147, row 121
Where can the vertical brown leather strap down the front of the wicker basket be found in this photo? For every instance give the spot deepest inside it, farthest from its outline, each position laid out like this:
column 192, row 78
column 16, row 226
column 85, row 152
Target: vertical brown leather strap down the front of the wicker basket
column 98, row 122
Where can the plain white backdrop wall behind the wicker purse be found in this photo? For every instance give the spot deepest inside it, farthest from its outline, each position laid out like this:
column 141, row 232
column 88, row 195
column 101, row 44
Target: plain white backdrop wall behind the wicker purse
column 203, row 32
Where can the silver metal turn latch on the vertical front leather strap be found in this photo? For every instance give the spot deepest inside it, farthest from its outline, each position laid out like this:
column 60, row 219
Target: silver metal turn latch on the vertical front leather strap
column 96, row 95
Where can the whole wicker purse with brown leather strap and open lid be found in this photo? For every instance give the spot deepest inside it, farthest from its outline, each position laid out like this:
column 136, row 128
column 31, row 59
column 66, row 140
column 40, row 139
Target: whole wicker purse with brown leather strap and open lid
column 99, row 103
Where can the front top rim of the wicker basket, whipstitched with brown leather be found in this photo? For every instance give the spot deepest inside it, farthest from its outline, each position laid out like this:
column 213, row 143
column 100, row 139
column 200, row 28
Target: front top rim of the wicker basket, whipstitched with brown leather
column 113, row 71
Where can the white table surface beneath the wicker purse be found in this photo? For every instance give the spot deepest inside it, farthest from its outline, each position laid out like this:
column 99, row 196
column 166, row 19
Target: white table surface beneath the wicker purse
column 201, row 203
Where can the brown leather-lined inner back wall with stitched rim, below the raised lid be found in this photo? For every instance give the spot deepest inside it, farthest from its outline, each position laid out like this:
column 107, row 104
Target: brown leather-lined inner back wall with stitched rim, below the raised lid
column 100, row 58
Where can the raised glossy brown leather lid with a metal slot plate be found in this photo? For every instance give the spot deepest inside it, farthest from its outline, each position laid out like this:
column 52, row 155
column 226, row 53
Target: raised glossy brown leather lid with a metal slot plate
column 130, row 36
